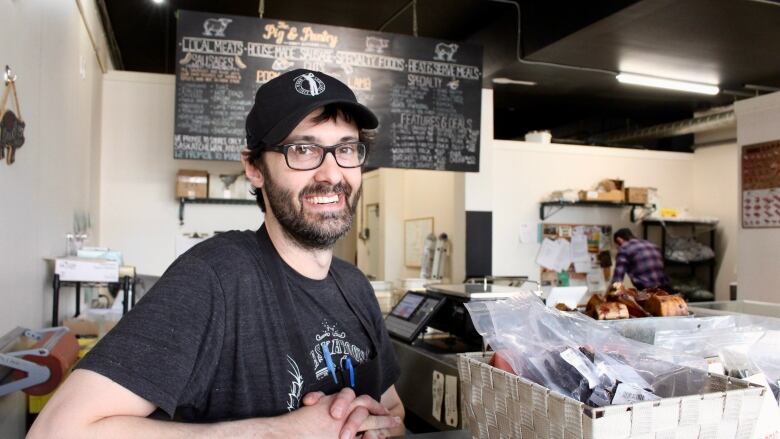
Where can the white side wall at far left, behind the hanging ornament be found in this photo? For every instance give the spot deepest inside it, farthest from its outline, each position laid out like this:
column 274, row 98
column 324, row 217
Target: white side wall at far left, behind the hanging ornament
column 46, row 44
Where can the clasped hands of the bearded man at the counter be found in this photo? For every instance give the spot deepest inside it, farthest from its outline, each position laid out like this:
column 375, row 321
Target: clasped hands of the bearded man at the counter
column 360, row 413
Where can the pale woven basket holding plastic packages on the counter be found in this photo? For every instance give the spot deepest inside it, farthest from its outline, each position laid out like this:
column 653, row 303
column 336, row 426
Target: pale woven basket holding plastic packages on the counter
column 497, row 405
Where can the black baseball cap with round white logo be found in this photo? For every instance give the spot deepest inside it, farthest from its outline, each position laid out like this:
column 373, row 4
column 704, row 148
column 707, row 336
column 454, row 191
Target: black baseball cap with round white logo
column 283, row 102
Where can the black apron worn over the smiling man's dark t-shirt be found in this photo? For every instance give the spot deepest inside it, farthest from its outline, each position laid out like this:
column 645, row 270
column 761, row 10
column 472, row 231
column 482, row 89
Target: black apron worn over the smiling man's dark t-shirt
column 368, row 375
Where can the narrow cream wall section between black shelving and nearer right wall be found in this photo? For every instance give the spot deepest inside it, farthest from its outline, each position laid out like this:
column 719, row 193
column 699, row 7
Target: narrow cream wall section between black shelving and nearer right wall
column 715, row 194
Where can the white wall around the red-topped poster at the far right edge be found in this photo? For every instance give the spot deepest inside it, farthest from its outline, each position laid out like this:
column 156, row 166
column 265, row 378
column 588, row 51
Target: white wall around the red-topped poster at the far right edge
column 758, row 120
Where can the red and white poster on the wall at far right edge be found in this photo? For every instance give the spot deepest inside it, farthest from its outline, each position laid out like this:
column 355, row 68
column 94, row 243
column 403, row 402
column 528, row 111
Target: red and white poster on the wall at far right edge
column 761, row 185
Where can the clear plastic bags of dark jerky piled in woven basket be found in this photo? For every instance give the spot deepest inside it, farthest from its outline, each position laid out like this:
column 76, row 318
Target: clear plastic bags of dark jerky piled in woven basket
column 575, row 356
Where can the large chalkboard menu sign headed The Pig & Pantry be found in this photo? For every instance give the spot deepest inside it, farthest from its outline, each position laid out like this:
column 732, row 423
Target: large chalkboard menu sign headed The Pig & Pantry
column 425, row 92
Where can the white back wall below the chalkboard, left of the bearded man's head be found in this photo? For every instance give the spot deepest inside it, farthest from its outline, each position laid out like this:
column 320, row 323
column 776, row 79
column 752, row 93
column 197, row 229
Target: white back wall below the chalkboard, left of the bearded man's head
column 138, row 210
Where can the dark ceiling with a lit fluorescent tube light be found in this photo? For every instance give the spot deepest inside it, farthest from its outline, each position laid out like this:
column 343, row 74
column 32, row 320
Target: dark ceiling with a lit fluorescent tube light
column 733, row 43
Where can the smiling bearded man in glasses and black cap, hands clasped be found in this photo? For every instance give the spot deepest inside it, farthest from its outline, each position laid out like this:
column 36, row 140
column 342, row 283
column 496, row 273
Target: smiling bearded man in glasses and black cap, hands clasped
column 256, row 334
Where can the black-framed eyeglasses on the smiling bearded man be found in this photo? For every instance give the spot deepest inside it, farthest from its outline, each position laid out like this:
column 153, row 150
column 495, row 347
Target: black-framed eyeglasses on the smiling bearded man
column 308, row 156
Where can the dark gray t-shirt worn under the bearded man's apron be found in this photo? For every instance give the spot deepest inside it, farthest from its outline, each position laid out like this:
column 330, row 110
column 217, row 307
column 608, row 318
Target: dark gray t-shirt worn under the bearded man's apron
column 210, row 341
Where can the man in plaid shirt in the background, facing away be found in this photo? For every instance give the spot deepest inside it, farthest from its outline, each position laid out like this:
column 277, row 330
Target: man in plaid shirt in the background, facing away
column 640, row 259
